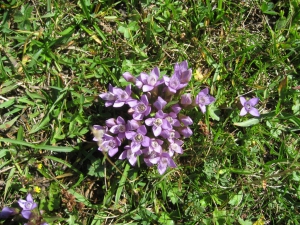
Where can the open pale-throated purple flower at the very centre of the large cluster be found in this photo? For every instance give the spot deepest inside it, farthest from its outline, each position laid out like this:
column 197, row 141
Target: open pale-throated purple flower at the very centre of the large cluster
column 158, row 123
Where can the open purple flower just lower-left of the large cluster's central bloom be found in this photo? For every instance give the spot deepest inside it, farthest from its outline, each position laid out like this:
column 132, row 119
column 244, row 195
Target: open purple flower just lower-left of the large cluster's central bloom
column 138, row 138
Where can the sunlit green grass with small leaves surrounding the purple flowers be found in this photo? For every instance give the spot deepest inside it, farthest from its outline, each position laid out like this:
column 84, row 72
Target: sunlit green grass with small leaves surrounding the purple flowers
column 58, row 56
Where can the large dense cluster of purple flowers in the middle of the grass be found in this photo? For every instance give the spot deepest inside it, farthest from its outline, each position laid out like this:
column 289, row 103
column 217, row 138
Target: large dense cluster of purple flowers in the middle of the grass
column 154, row 126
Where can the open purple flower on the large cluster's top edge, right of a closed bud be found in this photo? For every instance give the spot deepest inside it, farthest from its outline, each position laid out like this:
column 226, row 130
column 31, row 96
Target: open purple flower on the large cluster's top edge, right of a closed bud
column 149, row 82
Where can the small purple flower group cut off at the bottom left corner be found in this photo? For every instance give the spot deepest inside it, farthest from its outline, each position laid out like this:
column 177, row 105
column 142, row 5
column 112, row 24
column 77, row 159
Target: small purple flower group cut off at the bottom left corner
column 27, row 212
